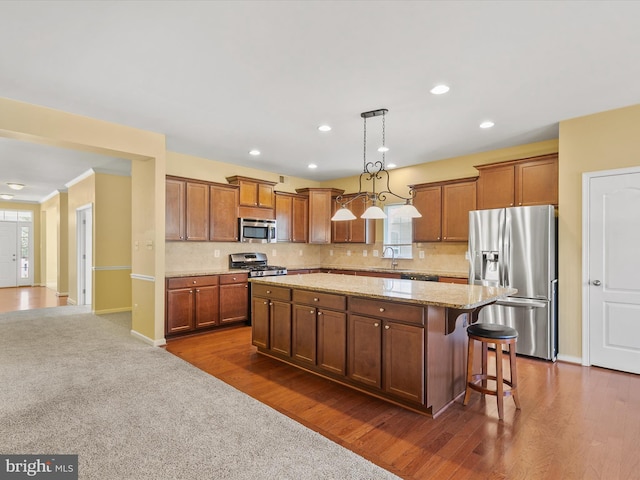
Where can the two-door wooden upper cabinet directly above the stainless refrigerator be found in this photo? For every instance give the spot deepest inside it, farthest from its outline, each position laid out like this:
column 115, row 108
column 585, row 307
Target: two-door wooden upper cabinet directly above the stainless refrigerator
column 529, row 181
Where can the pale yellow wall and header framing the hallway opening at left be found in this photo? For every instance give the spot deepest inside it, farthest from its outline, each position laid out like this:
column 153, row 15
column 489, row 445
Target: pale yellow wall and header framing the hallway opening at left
column 28, row 122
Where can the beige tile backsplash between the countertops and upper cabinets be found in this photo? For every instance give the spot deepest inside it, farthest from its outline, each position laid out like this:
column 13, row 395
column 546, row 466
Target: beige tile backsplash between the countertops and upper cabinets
column 202, row 256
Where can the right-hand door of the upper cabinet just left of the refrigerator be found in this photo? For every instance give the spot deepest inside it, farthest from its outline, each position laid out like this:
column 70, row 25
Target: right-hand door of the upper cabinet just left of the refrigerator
column 458, row 199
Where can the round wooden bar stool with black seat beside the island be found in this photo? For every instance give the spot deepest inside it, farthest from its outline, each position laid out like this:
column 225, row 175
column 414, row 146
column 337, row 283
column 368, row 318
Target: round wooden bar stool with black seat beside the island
column 498, row 335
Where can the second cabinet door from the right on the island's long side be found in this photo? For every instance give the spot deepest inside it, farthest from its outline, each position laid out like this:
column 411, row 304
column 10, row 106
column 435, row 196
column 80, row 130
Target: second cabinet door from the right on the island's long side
column 365, row 350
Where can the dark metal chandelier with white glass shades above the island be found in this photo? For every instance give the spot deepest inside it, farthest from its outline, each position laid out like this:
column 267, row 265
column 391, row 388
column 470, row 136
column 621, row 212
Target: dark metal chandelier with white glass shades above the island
column 375, row 172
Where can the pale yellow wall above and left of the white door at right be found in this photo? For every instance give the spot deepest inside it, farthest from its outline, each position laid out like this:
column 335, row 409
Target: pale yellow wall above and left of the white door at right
column 604, row 141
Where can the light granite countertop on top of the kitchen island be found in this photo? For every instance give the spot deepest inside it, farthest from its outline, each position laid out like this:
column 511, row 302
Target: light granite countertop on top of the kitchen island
column 464, row 297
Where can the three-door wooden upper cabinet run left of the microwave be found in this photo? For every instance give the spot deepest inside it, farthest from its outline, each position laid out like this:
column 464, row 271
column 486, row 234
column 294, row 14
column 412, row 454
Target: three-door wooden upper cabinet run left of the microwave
column 200, row 211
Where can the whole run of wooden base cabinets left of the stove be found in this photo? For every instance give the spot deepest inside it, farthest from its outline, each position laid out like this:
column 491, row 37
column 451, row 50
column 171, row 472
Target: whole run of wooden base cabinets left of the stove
column 204, row 302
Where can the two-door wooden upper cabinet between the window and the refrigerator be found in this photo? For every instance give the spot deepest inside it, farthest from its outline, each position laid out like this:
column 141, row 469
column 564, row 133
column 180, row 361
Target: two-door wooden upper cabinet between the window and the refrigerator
column 445, row 208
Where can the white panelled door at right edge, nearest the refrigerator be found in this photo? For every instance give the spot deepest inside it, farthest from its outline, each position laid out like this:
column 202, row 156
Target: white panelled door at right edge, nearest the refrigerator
column 613, row 283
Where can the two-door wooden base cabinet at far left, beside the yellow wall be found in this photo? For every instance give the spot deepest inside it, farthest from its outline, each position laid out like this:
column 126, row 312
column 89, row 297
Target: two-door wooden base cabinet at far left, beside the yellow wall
column 192, row 303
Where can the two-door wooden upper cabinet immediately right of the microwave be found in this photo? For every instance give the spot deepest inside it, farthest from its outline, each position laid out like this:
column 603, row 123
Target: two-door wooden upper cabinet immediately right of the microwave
column 292, row 217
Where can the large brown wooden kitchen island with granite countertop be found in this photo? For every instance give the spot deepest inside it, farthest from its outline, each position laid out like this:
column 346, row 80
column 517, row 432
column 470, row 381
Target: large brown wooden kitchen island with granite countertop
column 399, row 340
